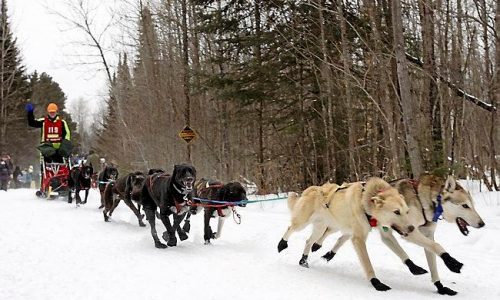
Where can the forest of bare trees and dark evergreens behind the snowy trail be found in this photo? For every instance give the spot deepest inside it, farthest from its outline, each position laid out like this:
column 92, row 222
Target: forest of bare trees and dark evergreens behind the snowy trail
column 284, row 93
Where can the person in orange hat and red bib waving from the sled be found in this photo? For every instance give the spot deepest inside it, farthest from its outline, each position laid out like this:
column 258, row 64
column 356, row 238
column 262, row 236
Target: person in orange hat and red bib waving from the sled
column 55, row 135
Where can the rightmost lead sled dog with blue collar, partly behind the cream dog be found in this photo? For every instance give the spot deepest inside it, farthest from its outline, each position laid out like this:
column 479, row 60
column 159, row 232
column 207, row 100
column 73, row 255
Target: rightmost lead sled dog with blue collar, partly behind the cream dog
column 423, row 197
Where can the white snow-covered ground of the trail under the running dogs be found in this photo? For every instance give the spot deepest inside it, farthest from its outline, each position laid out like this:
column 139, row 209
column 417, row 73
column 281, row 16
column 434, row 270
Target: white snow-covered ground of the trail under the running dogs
column 50, row 249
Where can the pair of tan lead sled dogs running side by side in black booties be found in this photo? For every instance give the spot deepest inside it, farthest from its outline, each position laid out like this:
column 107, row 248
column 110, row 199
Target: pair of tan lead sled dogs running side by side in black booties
column 410, row 208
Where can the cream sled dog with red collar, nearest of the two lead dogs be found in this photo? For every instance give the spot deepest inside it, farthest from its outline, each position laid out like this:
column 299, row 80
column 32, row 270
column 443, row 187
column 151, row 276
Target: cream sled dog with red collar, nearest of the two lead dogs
column 353, row 210
